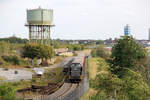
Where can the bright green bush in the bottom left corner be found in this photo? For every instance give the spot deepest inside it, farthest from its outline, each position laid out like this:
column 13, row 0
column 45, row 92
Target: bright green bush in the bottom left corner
column 7, row 92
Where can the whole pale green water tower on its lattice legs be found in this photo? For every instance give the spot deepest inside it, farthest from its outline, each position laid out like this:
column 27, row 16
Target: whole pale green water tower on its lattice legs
column 39, row 22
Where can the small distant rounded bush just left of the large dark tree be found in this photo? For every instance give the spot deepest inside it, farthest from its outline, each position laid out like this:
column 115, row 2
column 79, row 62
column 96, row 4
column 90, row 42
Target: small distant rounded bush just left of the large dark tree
column 100, row 51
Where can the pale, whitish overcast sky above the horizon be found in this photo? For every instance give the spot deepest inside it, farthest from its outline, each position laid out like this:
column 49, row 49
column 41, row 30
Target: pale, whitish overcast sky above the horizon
column 79, row 19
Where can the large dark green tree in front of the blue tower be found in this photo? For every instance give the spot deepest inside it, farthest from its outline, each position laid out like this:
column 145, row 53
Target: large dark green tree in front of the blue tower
column 125, row 54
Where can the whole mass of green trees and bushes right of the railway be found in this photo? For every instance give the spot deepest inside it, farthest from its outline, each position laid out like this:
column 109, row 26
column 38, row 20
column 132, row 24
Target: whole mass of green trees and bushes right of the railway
column 126, row 74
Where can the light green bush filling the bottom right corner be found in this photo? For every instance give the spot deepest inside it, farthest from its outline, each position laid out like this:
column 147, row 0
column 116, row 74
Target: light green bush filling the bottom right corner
column 134, row 86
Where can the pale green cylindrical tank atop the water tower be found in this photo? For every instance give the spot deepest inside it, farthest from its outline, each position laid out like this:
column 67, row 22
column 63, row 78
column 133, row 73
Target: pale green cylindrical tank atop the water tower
column 40, row 16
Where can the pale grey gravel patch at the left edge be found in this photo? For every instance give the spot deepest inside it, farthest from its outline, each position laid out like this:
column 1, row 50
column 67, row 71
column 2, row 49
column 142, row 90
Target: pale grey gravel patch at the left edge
column 11, row 76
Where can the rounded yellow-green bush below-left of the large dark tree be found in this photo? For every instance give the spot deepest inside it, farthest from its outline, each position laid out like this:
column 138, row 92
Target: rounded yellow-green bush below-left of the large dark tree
column 108, row 83
